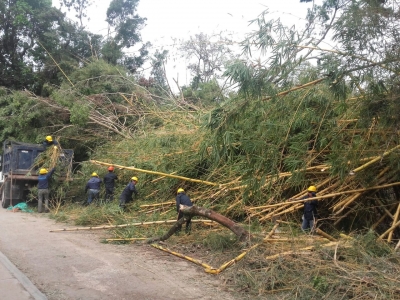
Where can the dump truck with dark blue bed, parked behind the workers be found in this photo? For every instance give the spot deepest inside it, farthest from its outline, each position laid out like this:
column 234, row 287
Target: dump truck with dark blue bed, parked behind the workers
column 19, row 173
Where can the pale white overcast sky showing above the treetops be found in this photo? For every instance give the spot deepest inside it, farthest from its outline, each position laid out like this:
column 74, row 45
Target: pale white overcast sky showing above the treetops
column 167, row 19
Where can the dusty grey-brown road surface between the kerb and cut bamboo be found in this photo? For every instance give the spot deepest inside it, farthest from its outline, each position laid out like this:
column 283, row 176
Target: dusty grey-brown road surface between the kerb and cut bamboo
column 76, row 265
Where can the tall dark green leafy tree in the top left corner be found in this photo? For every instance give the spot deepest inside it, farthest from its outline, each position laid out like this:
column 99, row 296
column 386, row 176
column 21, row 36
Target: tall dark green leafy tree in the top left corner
column 23, row 25
